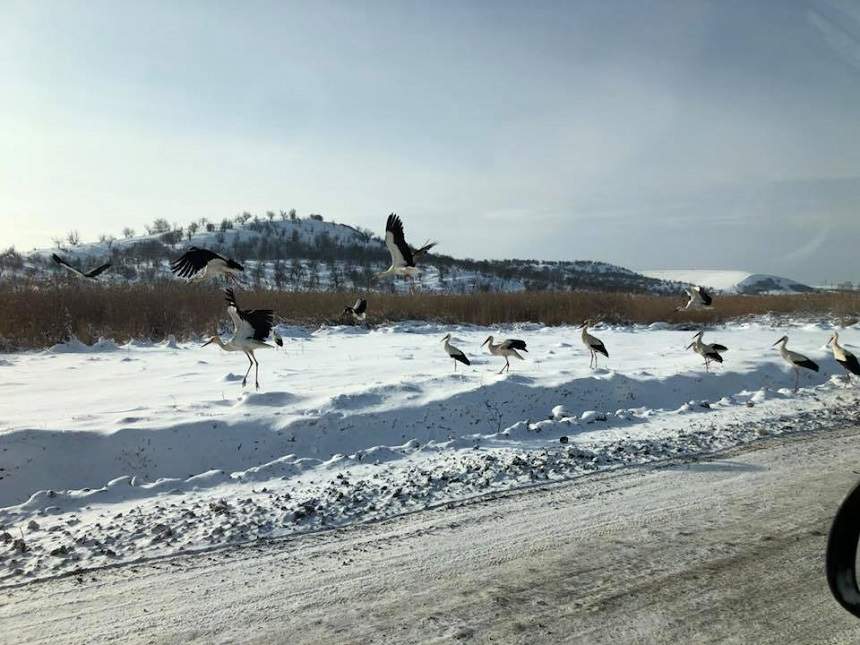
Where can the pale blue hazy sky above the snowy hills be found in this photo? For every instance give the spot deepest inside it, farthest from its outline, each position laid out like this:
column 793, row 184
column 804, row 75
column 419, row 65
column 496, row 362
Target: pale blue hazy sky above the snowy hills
column 660, row 134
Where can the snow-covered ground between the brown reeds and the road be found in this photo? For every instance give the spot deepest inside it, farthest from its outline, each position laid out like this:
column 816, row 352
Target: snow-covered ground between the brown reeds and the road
column 116, row 453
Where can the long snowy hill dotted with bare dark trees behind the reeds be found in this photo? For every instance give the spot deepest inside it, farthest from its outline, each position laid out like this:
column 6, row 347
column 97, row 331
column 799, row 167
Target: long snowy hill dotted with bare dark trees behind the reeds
column 305, row 254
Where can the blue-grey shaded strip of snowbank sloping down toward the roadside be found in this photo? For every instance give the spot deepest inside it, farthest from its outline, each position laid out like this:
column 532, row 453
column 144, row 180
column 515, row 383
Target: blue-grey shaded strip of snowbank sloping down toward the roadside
column 272, row 444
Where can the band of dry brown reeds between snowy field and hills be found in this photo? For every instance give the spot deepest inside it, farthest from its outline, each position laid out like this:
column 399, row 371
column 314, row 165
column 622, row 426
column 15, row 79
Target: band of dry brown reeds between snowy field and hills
column 37, row 317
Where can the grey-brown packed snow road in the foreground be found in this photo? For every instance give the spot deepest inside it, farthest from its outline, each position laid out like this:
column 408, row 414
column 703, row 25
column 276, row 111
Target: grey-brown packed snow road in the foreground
column 725, row 549
